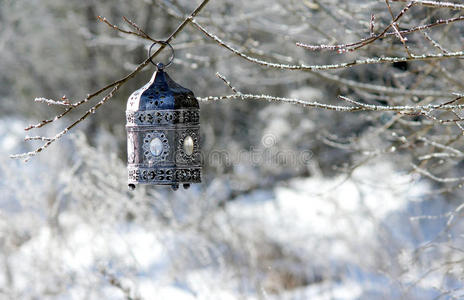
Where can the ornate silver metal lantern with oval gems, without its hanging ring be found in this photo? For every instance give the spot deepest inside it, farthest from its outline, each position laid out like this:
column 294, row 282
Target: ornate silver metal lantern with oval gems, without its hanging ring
column 163, row 138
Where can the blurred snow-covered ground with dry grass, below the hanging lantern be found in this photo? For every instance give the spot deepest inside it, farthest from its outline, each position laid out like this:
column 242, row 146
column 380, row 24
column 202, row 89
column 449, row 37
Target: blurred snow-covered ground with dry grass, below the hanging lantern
column 367, row 237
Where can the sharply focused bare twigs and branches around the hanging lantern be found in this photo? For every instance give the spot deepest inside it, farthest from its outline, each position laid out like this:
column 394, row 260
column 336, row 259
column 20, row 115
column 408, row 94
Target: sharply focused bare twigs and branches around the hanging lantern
column 431, row 111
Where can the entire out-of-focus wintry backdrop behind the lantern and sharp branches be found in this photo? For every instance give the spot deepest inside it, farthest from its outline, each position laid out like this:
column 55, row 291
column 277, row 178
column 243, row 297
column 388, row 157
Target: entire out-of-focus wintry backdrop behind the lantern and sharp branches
column 295, row 203
